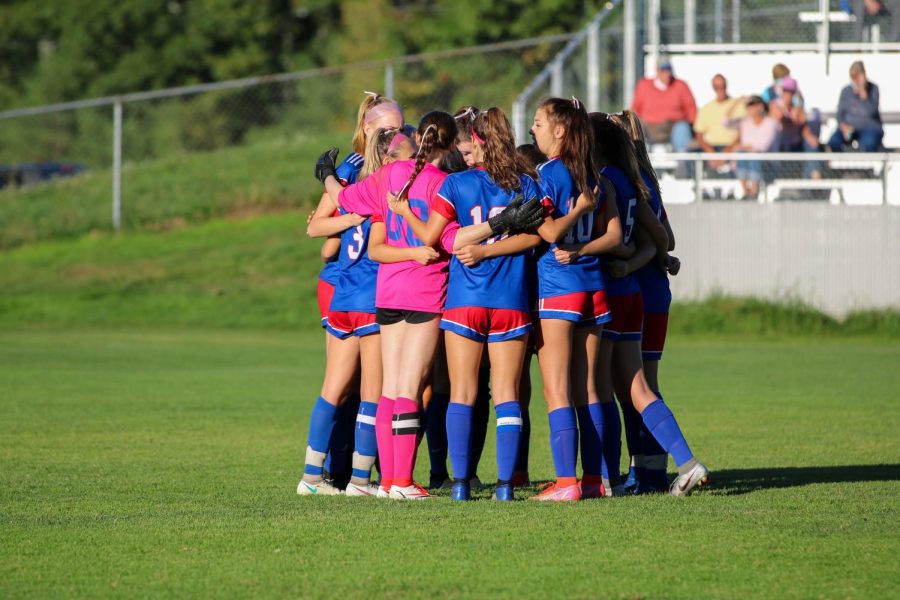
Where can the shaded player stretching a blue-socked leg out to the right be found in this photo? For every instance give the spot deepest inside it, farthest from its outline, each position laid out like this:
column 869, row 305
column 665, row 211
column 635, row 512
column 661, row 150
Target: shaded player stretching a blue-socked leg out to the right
column 620, row 350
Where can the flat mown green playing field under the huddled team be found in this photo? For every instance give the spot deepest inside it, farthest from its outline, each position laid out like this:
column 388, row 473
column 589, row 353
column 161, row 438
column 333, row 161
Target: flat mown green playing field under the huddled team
column 163, row 462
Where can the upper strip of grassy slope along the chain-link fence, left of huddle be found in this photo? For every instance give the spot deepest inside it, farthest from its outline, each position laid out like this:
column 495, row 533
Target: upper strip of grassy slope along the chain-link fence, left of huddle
column 185, row 188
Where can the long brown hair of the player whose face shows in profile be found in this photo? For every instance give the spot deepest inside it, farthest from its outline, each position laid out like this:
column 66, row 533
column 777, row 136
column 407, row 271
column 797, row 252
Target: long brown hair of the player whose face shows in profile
column 576, row 146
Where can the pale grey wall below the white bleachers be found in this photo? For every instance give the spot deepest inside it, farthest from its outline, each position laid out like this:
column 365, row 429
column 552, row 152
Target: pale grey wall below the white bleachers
column 836, row 258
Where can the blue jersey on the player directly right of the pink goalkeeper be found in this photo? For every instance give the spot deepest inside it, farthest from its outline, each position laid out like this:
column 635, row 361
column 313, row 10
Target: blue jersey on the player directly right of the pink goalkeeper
column 472, row 197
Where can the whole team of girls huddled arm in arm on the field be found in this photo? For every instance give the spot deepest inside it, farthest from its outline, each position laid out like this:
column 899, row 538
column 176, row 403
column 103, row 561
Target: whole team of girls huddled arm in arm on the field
column 564, row 256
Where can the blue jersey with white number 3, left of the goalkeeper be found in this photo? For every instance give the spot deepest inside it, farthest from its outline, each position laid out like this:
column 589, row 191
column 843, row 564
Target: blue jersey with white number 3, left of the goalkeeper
column 355, row 290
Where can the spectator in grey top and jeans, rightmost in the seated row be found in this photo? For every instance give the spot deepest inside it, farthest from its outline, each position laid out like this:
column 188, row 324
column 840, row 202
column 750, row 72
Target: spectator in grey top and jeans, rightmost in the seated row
column 859, row 119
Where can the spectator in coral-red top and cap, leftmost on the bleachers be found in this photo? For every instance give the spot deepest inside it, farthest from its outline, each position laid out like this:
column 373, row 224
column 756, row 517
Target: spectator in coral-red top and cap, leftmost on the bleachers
column 666, row 106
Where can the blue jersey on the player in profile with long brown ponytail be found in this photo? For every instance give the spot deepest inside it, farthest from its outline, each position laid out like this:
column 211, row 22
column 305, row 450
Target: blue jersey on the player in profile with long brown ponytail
column 584, row 274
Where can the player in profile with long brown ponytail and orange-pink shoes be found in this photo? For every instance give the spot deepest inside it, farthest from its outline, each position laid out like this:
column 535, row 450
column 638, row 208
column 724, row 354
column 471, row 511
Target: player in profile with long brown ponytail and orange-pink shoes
column 572, row 304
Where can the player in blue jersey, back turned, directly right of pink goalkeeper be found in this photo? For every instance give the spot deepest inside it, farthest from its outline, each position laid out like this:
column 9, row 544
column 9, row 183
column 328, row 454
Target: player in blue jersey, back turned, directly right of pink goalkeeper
column 487, row 300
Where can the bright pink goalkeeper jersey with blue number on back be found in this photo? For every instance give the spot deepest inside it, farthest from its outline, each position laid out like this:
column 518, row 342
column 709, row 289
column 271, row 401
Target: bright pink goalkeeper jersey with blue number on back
column 406, row 285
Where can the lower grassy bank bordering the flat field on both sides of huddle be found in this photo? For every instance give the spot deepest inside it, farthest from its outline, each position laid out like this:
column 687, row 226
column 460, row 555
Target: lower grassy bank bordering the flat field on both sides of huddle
column 261, row 272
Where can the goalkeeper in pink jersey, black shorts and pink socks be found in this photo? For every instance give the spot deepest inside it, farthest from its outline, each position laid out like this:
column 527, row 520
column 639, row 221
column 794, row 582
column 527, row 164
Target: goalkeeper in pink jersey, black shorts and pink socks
column 409, row 296
